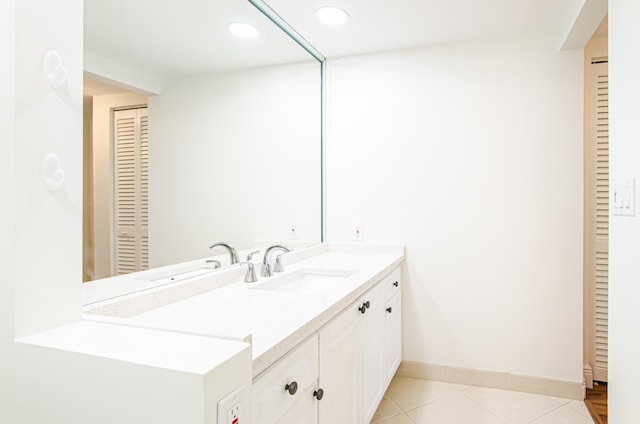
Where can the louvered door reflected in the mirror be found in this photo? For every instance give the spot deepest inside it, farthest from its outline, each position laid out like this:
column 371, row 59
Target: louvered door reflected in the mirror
column 131, row 188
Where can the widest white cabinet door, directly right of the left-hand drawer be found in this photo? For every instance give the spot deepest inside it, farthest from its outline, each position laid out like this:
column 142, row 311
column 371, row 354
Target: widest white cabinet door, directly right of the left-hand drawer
column 340, row 369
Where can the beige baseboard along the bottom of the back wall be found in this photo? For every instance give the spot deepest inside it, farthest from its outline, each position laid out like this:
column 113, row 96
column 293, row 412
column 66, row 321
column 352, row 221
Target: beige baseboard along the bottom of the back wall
column 493, row 379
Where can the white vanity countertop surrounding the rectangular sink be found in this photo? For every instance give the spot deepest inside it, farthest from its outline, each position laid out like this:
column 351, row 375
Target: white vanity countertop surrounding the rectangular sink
column 273, row 321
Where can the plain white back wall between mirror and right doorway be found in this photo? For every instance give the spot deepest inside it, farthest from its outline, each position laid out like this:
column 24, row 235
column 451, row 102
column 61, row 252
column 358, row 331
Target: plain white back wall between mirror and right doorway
column 471, row 155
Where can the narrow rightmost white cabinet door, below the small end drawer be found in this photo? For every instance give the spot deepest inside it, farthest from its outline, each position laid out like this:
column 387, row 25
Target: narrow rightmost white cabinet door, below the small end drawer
column 393, row 338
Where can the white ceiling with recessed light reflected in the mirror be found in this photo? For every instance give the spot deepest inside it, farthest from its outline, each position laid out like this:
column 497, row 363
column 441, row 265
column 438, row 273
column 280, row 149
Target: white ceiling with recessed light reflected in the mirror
column 166, row 38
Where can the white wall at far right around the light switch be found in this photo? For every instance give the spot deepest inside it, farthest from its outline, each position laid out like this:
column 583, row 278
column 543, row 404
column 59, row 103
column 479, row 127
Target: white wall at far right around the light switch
column 624, row 237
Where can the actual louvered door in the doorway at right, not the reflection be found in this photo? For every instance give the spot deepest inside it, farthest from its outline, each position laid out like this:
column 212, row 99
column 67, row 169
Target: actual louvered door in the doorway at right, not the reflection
column 599, row 222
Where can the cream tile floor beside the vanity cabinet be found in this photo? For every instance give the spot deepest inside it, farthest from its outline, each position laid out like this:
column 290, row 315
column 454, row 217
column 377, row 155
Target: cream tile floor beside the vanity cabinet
column 414, row 401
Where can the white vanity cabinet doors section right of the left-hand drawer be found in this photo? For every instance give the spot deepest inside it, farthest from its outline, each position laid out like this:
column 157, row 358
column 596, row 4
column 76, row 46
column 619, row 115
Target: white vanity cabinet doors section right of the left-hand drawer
column 360, row 351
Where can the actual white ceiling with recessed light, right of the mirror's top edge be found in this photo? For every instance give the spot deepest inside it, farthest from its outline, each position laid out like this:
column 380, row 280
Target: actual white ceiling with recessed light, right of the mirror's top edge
column 377, row 25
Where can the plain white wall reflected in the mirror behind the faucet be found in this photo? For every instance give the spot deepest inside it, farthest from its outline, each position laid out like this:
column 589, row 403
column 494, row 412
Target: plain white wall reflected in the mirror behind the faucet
column 234, row 157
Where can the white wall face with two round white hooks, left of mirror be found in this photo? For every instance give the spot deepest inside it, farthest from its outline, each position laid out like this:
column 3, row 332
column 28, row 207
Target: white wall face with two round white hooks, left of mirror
column 48, row 231
